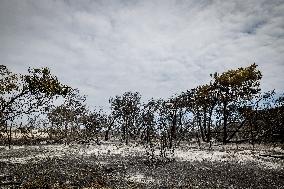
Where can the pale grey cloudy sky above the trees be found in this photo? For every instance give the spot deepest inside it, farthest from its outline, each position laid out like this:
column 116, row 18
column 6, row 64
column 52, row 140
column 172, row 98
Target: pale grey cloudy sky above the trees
column 158, row 48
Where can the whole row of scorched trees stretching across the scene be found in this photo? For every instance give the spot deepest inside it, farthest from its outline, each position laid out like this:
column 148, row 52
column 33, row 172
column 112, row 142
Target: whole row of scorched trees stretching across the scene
column 230, row 108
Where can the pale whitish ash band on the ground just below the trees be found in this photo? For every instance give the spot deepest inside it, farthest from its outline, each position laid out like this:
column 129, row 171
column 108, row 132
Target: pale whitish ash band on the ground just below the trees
column 243, row 154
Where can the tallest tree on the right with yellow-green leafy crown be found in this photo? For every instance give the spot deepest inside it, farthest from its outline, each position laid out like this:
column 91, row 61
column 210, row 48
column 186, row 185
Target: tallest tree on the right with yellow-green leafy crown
column 235, row 87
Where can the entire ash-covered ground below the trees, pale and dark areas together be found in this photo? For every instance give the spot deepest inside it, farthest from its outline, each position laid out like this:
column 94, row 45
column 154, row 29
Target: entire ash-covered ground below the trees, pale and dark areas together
column 113, row 165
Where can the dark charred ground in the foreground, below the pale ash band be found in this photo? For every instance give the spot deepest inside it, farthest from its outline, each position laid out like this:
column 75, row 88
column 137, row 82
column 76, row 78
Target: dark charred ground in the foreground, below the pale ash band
column 116, row 171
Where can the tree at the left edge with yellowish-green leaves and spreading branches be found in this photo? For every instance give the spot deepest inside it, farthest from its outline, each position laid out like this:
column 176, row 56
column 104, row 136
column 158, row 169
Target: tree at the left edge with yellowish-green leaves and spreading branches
column 26, row 94
